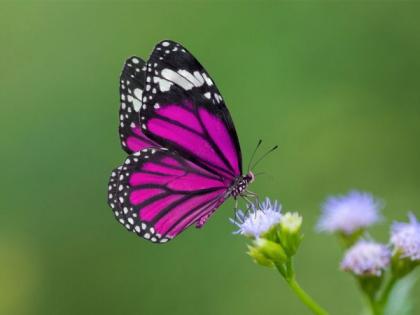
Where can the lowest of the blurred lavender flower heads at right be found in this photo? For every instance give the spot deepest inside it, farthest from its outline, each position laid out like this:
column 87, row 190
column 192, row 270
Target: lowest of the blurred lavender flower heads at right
column 366, row 258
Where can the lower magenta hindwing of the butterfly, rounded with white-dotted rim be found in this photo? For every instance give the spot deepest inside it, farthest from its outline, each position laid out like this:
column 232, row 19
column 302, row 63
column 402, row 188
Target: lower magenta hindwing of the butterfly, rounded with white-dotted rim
column 157, row 194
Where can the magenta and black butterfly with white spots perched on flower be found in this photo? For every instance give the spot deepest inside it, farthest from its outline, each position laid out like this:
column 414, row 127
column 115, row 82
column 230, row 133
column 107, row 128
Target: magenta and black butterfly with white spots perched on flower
column 184, row 155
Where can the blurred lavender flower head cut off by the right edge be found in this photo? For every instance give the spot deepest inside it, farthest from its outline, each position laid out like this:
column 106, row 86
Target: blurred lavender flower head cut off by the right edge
column 405, row 237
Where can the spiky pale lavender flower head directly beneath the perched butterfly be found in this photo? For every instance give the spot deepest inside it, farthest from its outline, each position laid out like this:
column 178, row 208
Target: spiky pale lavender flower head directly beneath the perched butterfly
column 258, row 219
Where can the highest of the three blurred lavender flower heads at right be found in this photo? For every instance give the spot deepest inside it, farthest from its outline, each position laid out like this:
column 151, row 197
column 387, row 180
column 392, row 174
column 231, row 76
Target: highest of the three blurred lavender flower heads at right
column 349, row 213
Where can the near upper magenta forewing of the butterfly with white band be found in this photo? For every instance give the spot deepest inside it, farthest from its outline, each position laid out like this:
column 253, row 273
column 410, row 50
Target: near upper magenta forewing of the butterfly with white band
column 182, row 110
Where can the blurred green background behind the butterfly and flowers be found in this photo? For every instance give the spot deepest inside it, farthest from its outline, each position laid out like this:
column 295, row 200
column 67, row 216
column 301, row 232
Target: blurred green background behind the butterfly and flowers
column 335, row 85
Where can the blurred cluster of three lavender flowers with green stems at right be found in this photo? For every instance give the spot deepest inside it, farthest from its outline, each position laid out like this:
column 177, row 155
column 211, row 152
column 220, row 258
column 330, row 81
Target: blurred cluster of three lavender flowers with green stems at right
column 348, row 217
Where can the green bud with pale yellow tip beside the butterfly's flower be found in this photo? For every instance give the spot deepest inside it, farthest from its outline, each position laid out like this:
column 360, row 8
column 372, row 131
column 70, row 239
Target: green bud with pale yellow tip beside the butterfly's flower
column 290, row 232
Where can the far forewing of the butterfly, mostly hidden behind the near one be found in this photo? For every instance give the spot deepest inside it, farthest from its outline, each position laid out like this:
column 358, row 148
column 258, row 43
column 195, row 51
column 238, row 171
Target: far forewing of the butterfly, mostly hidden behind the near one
column 132, row 82
